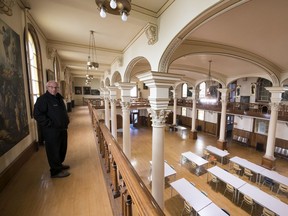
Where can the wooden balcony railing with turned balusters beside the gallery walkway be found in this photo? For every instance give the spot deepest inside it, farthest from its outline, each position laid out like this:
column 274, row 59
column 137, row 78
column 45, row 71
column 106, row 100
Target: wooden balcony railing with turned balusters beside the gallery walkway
column 125, row 180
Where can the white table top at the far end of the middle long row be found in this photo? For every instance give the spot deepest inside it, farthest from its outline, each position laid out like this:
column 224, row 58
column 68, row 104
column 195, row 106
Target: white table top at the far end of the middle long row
column 226, row 177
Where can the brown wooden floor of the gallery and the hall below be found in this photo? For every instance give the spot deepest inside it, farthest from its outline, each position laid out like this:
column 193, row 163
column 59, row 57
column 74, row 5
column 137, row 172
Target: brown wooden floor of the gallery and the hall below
column 33, row 192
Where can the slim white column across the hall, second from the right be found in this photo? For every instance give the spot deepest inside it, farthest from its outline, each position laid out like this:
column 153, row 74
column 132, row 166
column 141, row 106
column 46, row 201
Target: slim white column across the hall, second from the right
column 224, row 92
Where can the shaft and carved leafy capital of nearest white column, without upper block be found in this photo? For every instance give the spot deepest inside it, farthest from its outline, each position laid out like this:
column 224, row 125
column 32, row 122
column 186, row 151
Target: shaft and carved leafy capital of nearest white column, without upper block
column 158, row 181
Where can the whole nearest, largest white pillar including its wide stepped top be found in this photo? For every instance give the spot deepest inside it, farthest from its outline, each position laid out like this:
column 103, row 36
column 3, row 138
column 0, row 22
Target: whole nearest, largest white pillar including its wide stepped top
column 159, row 84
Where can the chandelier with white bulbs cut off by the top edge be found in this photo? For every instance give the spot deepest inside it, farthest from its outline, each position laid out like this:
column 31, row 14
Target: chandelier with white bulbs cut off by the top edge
column 116, row 7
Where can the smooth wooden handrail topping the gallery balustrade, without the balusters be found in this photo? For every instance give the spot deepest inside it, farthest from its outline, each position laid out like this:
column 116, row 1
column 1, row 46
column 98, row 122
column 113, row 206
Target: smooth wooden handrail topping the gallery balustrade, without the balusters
column 141, row 196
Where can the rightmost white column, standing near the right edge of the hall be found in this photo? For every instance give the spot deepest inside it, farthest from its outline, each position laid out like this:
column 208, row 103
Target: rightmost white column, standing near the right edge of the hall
column 276, row 96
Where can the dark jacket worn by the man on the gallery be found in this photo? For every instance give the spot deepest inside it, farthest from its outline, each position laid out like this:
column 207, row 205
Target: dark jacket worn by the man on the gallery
column 50, row 111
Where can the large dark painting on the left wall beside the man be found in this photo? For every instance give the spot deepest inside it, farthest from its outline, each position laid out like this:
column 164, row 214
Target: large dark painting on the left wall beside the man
column 13, row 111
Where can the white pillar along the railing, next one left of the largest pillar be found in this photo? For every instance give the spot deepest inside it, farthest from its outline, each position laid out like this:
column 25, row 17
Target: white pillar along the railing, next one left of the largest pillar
column 125, row 103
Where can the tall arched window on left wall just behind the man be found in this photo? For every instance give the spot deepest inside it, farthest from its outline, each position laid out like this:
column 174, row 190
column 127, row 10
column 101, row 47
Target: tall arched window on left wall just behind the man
column 34, row 66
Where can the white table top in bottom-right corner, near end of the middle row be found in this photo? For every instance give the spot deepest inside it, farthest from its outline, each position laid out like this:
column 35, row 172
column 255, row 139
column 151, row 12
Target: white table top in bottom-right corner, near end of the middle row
column 265, row 199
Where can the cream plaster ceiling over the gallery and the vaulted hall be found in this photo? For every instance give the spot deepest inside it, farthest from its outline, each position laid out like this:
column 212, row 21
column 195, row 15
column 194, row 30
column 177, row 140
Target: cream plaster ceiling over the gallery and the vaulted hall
column 258, row 27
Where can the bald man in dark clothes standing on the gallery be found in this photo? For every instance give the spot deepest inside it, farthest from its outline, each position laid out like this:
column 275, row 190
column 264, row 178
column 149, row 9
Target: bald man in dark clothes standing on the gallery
column 51, row 115
